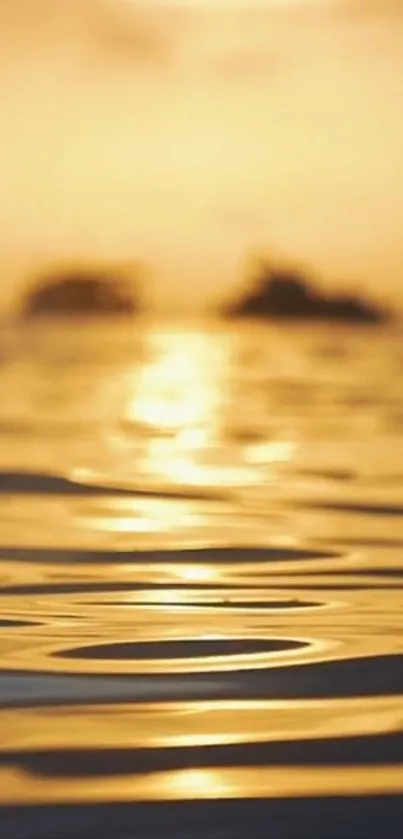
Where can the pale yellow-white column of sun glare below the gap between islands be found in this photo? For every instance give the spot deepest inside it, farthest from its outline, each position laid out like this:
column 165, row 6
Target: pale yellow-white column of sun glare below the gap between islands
column 179, row 399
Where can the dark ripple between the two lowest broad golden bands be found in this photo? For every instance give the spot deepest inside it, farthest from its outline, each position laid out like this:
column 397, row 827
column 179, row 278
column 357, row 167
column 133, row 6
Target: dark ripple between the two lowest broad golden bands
column 372, row 750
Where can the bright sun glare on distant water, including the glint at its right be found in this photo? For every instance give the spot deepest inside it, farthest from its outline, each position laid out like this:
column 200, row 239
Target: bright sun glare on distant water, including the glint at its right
column 195, row 431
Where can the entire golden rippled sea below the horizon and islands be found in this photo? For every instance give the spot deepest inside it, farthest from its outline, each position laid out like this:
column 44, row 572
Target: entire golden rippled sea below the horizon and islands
column 201, row 571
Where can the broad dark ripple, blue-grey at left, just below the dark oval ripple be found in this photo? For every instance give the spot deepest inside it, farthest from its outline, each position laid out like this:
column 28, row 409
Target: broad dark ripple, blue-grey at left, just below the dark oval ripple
column 253, row 678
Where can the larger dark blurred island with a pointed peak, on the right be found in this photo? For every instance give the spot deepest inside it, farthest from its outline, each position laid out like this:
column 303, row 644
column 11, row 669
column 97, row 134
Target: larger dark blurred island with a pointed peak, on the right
column 286, row 294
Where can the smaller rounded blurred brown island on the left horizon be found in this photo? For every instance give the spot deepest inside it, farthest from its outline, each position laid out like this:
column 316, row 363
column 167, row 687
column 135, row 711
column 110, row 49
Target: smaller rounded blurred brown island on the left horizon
column 80, row 293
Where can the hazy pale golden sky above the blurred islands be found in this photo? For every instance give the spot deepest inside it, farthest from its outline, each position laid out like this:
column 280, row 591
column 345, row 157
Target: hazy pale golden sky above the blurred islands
column 188, row 133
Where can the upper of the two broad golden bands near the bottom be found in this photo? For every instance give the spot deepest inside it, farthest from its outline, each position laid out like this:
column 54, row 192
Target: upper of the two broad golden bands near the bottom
column 188, row 725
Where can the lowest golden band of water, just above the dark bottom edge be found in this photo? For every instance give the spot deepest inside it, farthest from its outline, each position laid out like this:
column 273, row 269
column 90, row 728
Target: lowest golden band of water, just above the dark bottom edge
column 204, row 784
